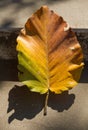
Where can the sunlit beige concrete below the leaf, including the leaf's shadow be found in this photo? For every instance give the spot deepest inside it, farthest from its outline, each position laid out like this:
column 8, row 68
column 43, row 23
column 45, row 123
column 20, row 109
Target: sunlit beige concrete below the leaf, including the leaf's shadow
column 23, row 110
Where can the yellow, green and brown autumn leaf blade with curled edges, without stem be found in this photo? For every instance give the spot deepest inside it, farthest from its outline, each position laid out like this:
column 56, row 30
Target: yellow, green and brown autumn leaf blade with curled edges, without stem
column 49, row 55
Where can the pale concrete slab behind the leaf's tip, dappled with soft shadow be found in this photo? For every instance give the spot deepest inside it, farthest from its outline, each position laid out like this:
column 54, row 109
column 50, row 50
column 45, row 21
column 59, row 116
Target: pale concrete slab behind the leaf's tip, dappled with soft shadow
column 14, row 13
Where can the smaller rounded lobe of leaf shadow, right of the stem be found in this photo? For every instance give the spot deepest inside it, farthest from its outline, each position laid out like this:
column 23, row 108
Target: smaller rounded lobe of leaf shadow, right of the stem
column 61, row 102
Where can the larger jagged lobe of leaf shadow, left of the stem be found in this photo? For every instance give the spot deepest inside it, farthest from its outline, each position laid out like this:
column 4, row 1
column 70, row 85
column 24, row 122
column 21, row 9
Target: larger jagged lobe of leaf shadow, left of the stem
column 25, row 104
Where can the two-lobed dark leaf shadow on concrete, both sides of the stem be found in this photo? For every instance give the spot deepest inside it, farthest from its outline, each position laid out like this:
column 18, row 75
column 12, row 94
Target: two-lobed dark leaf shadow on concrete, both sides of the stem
column 28, row 104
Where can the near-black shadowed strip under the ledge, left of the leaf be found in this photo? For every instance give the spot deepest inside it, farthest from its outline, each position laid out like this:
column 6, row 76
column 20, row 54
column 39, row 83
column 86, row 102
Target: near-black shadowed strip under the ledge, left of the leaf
column 8, row 70
